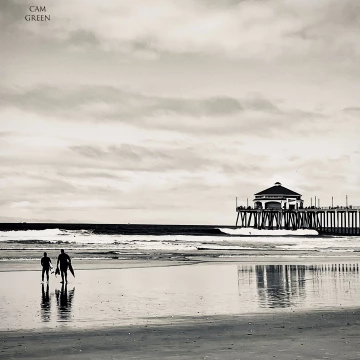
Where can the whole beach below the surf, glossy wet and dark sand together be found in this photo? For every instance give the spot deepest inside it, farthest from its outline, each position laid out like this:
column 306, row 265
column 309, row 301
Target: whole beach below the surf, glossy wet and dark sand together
column 175, row 310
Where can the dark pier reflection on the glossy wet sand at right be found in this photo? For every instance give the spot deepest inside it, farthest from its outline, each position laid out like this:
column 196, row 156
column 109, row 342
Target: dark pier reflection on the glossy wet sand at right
column 284, row 286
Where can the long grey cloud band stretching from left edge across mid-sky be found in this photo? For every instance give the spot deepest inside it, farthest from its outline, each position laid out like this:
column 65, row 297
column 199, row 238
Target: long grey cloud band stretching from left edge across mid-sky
column 212, row 115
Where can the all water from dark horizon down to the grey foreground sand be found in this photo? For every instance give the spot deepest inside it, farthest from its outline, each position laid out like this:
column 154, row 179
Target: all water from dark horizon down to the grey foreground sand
column 298, row 271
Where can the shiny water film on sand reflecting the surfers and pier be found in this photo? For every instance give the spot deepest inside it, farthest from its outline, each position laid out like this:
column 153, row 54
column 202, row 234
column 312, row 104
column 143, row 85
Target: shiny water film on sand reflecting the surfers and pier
column 106, row 297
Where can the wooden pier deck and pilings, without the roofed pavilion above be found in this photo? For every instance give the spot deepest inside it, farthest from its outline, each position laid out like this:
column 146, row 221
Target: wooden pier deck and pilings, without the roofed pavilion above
column 332, row 221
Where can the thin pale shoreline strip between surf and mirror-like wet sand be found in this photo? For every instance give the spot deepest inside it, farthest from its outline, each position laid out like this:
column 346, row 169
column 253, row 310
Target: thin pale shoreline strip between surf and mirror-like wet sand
column 165, row 258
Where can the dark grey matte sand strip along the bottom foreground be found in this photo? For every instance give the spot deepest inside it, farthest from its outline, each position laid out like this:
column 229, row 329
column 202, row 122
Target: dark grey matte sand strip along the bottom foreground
column 314, row 335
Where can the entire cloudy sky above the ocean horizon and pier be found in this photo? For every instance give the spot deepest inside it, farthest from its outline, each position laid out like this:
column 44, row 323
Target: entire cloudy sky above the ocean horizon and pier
column 163, row 111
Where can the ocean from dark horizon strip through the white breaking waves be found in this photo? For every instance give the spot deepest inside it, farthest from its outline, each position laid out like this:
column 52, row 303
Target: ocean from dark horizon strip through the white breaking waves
column 28, row 241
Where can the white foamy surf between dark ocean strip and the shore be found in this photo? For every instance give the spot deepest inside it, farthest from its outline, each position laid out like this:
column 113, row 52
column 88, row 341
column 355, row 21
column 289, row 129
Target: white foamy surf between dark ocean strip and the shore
column 241, row 239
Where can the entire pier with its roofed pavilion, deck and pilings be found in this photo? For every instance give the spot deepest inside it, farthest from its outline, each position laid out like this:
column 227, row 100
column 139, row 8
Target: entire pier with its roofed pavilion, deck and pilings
column 280, row 208
